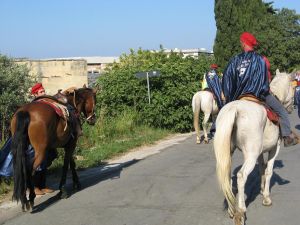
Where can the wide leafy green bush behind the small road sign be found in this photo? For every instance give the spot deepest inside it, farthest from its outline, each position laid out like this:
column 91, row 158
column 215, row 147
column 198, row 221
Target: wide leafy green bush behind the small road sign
column 171, row 92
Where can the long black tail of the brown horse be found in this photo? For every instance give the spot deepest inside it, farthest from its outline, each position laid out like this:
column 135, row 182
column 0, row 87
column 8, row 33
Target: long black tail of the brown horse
column 18, row 148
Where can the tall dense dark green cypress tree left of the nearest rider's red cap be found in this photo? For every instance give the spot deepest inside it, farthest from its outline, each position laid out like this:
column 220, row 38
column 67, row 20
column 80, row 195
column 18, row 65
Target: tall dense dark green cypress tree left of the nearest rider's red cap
column 232, row 18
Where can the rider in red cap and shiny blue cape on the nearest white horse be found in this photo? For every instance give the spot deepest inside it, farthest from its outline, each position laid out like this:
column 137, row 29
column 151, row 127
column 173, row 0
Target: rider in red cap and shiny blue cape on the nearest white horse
column 247, row 73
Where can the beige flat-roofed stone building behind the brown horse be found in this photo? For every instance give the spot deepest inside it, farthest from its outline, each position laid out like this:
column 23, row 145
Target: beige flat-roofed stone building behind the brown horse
column 62, row 73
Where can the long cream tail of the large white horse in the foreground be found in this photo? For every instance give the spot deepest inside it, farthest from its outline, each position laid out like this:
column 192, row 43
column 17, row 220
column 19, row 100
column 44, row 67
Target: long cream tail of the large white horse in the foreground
column 222, row 147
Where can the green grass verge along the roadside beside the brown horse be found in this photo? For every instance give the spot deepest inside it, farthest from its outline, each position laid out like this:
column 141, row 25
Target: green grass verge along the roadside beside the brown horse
column 109, row 137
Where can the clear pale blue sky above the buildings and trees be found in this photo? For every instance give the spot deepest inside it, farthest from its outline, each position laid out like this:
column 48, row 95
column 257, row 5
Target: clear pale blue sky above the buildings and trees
column 39, row 29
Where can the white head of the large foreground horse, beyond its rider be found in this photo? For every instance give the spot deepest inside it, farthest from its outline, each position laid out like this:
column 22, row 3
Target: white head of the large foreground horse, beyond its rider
column 282, row 88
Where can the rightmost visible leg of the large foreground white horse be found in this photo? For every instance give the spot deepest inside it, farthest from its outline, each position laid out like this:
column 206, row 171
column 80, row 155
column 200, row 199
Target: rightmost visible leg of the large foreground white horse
column 268, row 174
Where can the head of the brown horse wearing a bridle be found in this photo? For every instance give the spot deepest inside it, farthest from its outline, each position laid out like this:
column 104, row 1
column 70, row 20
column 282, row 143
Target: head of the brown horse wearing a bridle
column 84, row 100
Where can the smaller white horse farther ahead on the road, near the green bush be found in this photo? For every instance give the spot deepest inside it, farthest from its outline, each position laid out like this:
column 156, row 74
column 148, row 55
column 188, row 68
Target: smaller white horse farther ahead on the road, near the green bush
column 203, row 101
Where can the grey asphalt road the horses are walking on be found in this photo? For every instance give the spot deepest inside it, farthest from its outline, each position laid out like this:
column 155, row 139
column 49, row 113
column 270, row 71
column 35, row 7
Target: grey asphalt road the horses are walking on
column 176, row 186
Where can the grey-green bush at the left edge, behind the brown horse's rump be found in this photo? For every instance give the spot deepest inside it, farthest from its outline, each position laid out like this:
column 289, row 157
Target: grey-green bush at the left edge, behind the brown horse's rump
column 14, row 84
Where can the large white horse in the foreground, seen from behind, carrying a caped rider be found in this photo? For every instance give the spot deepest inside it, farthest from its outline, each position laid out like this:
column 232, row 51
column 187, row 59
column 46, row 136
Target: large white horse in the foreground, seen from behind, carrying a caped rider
column 243, row 124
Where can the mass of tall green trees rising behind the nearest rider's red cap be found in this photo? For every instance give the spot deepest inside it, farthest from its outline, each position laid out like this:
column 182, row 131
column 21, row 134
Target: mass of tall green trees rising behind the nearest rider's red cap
column 277, row 31
